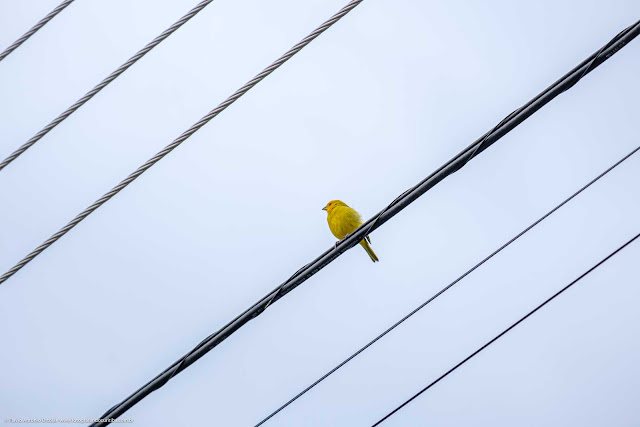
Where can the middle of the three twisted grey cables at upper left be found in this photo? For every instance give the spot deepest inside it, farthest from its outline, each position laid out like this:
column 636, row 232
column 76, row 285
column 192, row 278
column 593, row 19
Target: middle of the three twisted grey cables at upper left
column 79, row 103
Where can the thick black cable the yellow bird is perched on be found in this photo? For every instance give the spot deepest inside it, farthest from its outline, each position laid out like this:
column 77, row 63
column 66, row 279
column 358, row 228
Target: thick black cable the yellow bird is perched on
column 304, row 273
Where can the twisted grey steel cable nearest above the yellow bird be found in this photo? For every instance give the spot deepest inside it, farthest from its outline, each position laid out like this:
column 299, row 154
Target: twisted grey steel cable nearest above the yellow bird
column 185, row 135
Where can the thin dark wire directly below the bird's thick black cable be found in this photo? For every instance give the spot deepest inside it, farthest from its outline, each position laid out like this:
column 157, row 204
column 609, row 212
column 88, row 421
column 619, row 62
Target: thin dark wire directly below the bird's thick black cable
column 446, row 288
